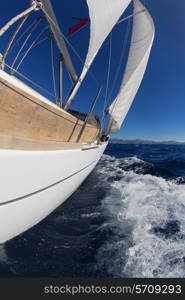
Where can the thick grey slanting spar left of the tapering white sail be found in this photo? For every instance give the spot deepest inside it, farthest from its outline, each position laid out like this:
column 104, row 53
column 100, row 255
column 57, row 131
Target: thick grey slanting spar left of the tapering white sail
column 48, row 10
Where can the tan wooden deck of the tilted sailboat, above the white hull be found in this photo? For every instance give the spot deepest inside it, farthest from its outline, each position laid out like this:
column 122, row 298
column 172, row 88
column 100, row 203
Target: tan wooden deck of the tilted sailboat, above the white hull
column 25, row 118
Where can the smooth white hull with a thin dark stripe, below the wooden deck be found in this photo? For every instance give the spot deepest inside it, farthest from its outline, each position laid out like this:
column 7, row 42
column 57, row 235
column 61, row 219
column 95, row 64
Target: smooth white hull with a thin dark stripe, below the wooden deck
column 34, row 183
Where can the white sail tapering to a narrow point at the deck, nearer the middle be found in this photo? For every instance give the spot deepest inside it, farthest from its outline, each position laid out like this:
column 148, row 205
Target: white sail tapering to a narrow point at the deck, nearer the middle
column 104, row 14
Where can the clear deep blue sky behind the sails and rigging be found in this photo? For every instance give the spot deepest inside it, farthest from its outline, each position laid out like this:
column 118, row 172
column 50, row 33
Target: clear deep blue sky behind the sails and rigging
column 158, row 111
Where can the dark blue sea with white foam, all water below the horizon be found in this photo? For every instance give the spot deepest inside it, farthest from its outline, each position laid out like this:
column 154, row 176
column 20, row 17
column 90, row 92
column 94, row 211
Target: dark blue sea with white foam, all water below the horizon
column 126, row 220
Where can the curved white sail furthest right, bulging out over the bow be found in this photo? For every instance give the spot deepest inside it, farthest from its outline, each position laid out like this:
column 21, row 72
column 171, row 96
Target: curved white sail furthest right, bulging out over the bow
column 141, row 43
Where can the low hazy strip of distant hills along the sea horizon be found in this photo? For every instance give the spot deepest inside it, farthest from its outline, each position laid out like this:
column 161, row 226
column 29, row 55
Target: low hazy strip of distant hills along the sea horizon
column 144, row 142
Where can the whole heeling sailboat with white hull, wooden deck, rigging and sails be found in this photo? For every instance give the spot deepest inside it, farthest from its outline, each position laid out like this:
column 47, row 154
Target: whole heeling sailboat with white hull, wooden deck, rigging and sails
column 46, row 149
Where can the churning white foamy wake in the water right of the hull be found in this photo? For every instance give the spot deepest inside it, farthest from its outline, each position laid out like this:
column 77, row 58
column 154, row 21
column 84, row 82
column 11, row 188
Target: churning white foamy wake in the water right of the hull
column 146, row 217
